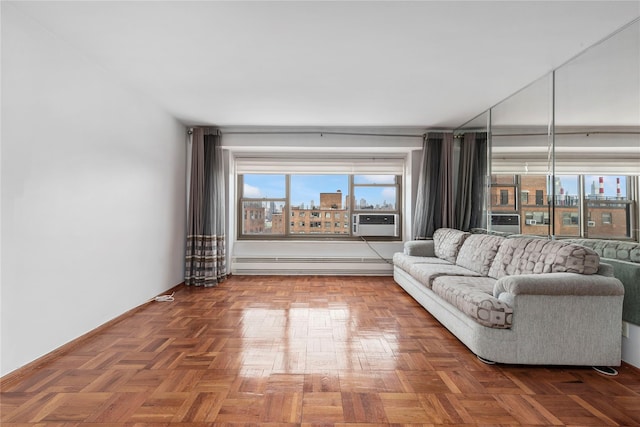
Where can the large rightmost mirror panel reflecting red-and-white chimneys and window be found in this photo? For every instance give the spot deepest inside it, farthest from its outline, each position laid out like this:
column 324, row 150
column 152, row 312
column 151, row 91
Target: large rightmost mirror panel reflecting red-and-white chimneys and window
column 597, row 138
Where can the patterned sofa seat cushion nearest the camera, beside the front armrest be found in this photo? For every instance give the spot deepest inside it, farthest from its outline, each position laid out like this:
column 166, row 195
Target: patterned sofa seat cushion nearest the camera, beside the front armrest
column 474, row 297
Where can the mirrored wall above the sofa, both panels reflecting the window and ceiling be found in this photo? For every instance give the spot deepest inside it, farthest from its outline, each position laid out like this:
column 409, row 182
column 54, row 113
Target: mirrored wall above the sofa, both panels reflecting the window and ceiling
column 565, row 150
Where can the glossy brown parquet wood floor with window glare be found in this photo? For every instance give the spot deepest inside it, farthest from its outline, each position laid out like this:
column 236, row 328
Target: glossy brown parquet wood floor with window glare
column 306, row 351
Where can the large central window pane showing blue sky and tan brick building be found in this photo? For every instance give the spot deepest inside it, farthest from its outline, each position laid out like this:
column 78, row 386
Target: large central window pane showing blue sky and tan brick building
column 318, row 197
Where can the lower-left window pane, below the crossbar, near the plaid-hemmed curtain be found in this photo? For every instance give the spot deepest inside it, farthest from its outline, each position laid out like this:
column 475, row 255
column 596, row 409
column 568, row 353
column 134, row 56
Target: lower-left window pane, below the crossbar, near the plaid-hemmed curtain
column 265, row 217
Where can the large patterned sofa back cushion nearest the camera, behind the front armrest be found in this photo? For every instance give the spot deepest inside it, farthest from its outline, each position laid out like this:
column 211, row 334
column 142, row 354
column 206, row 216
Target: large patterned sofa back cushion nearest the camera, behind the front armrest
column 526, row 255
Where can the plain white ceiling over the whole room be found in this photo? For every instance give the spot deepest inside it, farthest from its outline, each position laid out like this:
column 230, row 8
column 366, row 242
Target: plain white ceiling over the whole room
column 426, row 64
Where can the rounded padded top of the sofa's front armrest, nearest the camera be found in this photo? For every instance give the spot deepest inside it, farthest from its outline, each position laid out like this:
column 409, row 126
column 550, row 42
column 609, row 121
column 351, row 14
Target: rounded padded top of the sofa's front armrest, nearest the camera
column 559, row 284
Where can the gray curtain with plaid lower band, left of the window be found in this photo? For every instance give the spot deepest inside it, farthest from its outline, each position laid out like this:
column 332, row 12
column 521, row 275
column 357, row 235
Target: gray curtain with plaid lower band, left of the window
column 205, row 258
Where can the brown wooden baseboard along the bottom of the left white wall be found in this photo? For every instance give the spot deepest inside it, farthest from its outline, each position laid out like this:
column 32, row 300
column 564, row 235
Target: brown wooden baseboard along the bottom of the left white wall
column 24, row 371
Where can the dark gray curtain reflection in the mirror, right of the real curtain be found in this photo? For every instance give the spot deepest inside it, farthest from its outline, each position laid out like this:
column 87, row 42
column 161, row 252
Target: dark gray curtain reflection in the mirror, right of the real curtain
column 471, row 172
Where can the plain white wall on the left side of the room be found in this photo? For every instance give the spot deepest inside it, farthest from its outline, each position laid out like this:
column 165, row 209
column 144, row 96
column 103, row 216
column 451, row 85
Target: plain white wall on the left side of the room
column 93, row 195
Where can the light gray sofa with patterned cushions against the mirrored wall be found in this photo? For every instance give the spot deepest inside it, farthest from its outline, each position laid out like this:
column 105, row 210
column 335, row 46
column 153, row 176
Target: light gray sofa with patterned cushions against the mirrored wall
column 518, row 300
